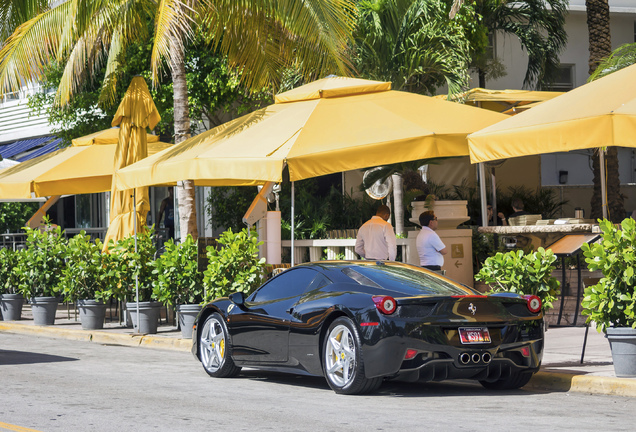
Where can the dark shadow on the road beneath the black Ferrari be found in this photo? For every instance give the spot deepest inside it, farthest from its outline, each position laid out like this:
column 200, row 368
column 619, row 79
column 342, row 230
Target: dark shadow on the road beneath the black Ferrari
column 388, row 388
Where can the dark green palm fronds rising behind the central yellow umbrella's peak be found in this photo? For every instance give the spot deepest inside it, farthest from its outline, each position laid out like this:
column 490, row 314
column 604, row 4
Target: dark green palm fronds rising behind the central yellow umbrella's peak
column 413, row 44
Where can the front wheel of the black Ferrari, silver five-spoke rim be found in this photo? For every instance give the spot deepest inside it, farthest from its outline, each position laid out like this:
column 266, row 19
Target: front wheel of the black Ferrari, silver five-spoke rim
column 215, row 348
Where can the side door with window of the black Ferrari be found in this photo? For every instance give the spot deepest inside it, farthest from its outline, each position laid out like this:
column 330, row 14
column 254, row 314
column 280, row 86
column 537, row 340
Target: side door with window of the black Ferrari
column 260, row 333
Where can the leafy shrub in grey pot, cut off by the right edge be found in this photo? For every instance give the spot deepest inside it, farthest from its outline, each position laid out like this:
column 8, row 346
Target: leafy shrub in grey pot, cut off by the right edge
column 611, row 303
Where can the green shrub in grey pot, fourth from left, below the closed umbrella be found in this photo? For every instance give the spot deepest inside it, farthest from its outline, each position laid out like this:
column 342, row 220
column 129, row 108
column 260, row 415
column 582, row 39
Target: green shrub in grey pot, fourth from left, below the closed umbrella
column 133, row 271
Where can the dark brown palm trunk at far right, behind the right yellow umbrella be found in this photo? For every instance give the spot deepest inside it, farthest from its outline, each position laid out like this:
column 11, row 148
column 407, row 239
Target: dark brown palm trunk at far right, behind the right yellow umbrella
column 600, row 46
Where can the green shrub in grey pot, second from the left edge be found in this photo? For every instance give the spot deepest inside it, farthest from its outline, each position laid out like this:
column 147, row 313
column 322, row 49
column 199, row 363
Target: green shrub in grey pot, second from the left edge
column 39, row 269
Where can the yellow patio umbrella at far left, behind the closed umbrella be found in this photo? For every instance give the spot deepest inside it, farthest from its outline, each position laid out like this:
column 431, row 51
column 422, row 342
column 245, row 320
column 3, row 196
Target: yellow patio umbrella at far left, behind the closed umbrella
column 79, row 169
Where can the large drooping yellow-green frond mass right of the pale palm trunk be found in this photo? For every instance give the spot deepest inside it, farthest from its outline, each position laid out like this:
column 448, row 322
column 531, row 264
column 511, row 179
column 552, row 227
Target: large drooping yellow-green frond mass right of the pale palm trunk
column 264, row 37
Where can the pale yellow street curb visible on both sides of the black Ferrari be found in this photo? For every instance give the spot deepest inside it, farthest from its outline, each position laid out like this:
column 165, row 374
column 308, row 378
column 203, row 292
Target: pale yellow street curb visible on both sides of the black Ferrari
column 541, row 381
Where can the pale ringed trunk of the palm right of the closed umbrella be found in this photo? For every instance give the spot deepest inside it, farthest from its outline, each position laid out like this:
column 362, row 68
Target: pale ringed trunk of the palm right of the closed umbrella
column 185, row 188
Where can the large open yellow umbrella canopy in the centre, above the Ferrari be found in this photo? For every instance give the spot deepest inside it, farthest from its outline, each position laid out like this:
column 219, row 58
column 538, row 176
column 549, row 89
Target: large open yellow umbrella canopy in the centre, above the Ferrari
column 328, row 126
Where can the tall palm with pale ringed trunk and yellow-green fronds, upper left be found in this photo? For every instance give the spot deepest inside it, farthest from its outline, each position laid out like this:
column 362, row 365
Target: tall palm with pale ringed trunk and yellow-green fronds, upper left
column 260, row 37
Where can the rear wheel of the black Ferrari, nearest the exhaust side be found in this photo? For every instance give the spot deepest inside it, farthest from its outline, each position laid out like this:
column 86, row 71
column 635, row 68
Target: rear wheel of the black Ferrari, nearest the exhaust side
column 343, row 364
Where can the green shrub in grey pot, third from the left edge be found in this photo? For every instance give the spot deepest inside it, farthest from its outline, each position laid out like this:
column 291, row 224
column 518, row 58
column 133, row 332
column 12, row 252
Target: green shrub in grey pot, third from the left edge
column 87, row 279
